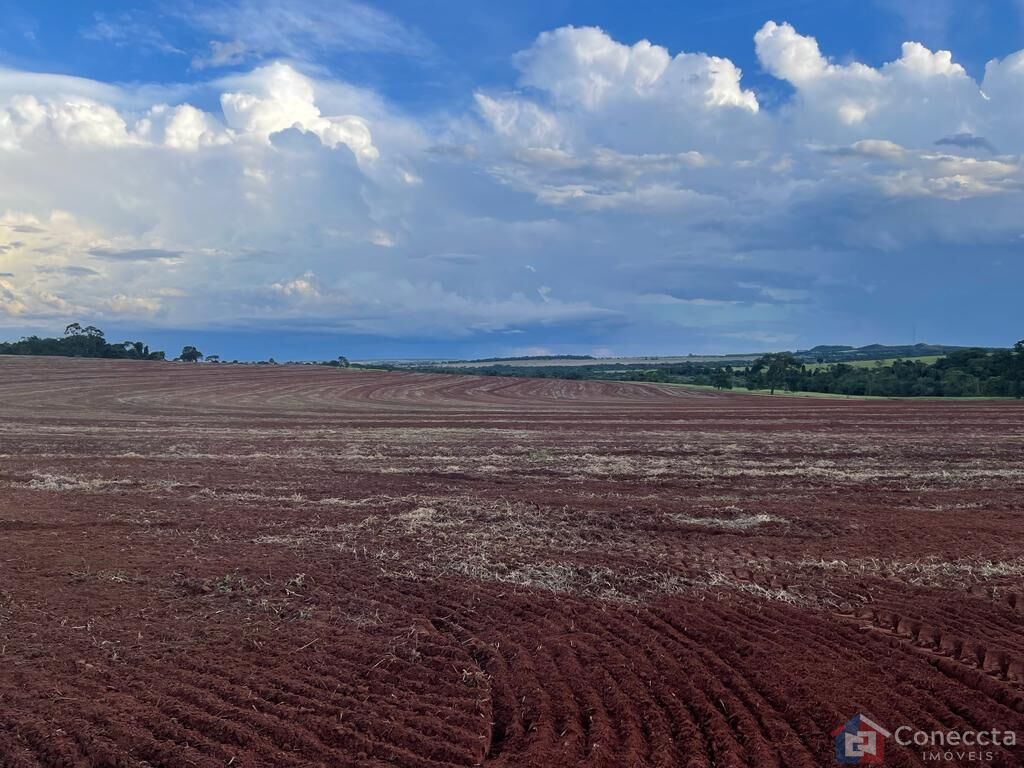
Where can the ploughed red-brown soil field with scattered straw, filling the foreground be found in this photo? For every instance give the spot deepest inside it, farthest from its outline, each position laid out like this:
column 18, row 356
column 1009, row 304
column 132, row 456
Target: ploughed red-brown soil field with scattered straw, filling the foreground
column 280, row 567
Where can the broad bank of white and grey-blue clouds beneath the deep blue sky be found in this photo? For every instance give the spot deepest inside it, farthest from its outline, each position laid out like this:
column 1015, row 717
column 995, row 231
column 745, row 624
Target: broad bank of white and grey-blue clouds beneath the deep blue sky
column 614, row 190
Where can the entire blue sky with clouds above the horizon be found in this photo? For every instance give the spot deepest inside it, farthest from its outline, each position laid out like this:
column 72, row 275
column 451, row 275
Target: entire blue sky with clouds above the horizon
column 308, row 179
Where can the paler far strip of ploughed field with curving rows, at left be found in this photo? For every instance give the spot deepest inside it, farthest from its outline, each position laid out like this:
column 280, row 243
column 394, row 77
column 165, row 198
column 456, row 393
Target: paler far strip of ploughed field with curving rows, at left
column 214, row 389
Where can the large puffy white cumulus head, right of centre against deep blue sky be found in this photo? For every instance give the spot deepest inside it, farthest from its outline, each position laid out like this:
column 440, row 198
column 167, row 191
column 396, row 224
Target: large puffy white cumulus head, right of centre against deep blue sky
column 581, row 91
